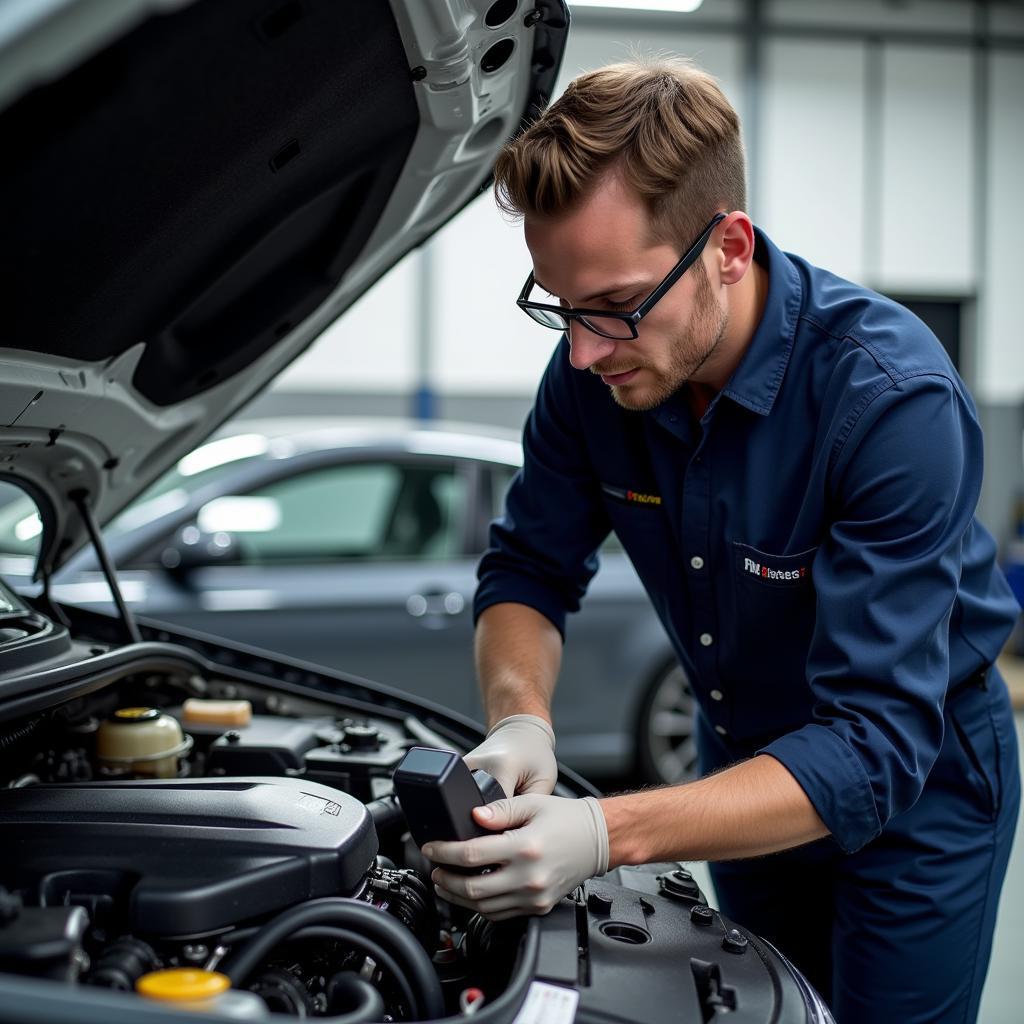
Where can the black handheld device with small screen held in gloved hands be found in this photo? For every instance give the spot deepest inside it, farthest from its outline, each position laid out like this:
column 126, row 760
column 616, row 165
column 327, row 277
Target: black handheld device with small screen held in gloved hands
column 439, row 793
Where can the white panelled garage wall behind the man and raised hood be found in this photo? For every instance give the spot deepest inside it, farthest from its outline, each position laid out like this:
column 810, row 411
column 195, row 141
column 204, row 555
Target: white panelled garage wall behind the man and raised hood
column 885, row 142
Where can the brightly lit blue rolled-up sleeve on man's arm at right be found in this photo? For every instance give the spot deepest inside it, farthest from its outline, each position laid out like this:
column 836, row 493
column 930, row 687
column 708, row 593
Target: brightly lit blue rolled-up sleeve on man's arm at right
column 906, row 482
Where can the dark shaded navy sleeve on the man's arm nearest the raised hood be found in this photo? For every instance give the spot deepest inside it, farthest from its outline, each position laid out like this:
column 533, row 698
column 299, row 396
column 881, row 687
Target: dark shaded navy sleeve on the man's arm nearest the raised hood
column 542, row 551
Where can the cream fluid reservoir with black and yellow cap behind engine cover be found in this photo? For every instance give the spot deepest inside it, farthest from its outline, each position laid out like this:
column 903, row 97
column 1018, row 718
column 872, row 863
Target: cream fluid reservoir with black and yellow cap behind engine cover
column 143, row 742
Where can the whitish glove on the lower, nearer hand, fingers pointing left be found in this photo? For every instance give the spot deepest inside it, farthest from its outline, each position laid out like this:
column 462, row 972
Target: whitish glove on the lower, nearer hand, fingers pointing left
column 551, row 845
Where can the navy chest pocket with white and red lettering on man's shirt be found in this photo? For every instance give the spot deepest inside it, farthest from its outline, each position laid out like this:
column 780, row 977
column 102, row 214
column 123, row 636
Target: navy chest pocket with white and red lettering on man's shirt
column 774, row 612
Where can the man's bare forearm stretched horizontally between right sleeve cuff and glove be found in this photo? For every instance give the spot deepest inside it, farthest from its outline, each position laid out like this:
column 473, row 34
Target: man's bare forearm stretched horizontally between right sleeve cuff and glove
column 749, row 810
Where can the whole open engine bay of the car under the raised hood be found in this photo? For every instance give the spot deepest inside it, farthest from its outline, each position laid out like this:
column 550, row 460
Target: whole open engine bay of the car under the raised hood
column 181, row 809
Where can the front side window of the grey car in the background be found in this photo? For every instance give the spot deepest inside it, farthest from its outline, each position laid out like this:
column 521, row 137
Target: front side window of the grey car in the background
column 359, row 510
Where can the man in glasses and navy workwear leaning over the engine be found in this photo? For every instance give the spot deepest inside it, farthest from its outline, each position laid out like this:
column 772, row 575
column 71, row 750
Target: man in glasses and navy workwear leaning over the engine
column 793, row 465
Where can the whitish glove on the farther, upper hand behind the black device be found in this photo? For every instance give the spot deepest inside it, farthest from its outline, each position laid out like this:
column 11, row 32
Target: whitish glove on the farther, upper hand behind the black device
column 520, row 752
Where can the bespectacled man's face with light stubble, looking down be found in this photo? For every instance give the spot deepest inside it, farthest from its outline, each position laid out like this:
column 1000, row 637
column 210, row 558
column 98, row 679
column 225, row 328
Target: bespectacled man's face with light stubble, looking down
column 604, row 257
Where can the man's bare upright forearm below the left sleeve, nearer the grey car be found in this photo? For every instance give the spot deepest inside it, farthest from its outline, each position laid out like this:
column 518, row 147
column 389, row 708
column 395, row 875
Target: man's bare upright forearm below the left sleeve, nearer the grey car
column 519, row 654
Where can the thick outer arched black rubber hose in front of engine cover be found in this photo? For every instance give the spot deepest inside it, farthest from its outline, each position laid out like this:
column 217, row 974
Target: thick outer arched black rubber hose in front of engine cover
column 361, row 918
